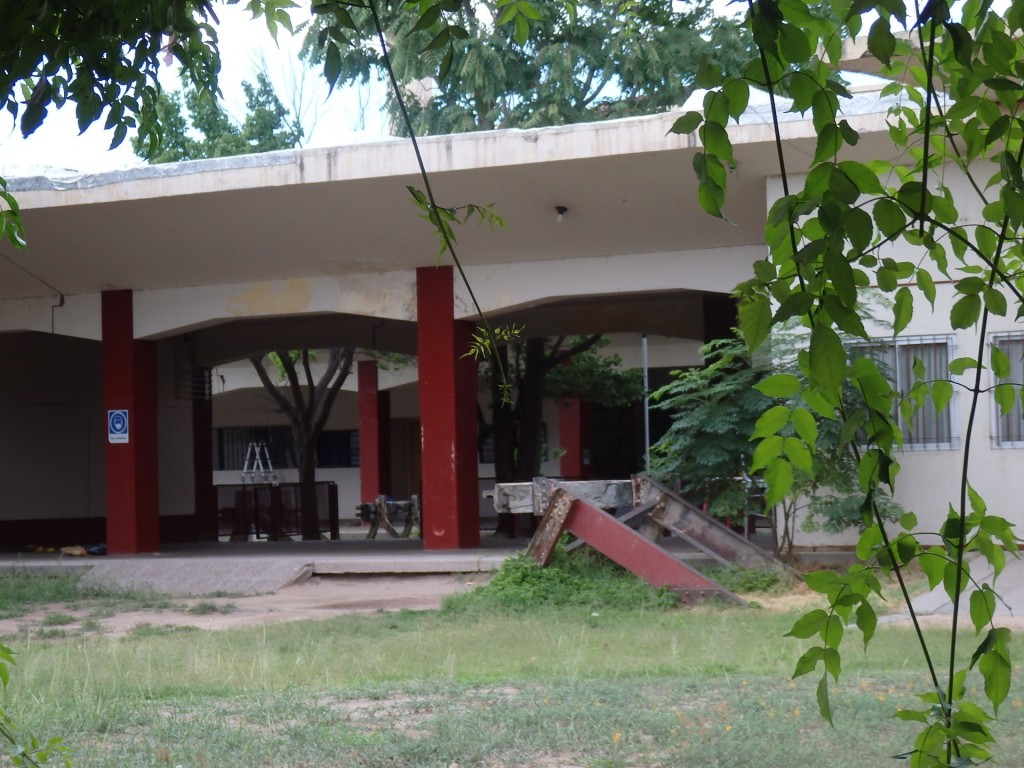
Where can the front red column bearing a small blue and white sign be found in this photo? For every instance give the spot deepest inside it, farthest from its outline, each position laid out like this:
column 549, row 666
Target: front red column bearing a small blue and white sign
column 131, row 386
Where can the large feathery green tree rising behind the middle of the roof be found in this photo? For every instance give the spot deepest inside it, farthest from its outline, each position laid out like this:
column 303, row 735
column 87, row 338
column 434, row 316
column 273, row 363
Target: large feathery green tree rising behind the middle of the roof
column 590, row 61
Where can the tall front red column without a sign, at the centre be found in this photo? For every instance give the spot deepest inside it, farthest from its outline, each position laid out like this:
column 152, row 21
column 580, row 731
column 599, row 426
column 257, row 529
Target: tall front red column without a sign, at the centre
column 448, row 416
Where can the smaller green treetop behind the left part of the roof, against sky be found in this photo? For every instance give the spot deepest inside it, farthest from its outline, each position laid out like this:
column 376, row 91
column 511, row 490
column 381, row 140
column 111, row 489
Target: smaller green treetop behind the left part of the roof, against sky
column 197, row 126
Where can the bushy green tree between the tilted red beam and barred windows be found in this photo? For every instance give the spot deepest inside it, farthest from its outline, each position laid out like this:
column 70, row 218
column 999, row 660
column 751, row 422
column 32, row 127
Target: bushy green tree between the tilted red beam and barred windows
column 708, row 450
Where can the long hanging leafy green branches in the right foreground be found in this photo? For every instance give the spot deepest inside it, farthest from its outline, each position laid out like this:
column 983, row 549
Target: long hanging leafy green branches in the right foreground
column 903, row 226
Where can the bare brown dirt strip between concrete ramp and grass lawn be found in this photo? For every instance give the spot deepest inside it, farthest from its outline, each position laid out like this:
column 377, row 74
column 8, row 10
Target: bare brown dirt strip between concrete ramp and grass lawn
column 319, row 598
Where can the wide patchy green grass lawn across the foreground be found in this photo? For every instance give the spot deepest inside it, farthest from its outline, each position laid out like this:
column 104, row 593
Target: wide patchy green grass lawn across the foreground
column 586, row 686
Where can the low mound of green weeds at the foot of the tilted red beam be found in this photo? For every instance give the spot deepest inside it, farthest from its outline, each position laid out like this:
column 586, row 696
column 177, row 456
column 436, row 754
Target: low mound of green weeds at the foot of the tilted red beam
column 579, row 580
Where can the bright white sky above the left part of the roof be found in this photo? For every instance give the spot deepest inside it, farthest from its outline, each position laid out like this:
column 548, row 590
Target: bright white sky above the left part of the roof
column 336, row 120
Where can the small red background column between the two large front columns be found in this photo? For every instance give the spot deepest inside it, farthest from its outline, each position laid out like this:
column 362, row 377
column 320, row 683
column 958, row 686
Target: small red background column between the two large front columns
column 375, row 435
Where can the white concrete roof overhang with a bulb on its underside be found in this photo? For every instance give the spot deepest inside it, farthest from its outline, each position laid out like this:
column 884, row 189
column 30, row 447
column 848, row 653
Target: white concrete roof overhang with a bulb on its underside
column 344, row 212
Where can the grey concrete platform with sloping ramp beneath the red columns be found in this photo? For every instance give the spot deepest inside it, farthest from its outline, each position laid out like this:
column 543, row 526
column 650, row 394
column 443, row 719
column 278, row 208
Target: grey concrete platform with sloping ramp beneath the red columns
column 262, row 568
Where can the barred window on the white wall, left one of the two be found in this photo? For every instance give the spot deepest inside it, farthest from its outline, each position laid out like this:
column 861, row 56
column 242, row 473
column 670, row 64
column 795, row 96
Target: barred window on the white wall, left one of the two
column 925, row 429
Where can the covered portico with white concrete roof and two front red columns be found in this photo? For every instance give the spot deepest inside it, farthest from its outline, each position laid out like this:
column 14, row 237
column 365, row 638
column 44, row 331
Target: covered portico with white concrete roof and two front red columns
column 172, row 270
